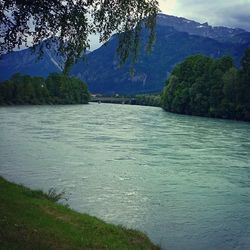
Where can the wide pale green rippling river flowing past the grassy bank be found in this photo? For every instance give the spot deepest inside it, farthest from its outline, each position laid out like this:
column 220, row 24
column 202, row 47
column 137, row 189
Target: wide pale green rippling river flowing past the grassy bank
column 183, row 180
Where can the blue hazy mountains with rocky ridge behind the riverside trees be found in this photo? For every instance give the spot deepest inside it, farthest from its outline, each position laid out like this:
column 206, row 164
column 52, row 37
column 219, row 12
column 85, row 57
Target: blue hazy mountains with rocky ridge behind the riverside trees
column 176, row 39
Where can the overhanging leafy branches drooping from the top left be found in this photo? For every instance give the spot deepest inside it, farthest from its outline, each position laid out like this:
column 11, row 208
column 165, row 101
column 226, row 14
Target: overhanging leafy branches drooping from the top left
column 68, row 24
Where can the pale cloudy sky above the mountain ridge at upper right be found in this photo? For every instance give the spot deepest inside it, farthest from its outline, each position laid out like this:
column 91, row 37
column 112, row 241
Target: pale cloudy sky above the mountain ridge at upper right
column 234, row 13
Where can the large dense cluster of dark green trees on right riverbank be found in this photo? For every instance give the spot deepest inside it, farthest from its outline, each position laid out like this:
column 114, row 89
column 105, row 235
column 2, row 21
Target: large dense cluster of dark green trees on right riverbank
column 209, row 87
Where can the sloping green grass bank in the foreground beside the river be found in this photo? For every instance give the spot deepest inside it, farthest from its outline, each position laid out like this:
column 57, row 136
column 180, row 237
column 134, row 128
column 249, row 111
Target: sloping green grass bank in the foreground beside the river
column 29, row 220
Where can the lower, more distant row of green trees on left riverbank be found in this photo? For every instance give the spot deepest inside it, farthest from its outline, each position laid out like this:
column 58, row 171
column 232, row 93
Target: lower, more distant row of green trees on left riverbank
column 56, row 89
